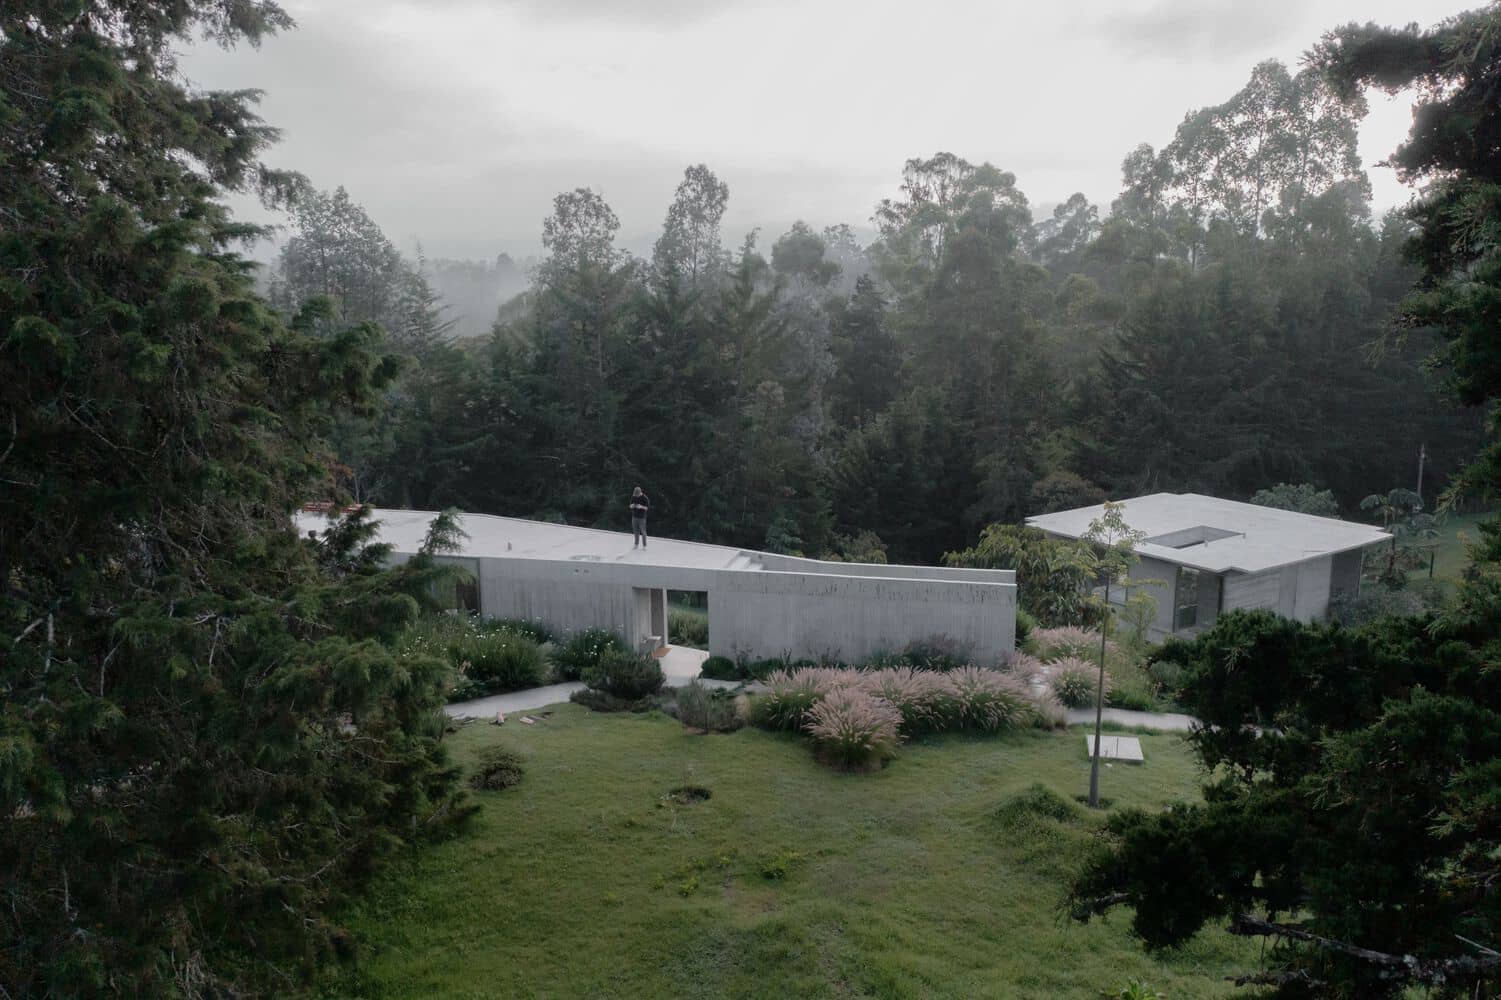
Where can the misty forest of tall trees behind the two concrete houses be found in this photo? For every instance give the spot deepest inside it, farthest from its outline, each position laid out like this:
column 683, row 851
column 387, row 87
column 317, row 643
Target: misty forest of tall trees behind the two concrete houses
column 1224, row 327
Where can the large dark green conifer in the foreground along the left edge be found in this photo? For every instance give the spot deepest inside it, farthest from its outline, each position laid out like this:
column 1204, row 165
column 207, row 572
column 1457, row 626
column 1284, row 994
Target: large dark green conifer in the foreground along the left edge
column 205, row 735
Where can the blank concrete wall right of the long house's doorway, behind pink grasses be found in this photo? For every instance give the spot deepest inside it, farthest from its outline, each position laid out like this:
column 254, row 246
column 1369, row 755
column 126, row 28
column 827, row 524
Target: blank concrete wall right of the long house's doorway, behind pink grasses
column 763, row 615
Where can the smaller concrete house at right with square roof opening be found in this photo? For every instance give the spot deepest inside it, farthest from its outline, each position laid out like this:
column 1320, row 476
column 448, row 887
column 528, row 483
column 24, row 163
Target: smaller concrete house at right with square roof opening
column 1209, row 556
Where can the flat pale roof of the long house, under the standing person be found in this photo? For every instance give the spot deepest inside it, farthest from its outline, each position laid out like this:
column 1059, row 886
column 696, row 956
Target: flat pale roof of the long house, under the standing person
column 517, row 538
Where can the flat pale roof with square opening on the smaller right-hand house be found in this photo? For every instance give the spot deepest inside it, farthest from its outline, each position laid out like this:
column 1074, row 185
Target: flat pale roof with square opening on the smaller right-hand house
column 1239, row 538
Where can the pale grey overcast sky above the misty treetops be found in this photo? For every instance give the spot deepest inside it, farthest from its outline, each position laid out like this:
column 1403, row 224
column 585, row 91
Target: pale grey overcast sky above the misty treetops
column 457, row 121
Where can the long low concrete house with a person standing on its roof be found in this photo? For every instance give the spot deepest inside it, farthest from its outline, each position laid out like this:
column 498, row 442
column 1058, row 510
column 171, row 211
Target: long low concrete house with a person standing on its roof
column 760, row 604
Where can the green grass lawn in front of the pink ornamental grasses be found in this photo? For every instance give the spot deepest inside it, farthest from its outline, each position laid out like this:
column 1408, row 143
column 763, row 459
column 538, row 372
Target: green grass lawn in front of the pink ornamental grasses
column 792, row 881
